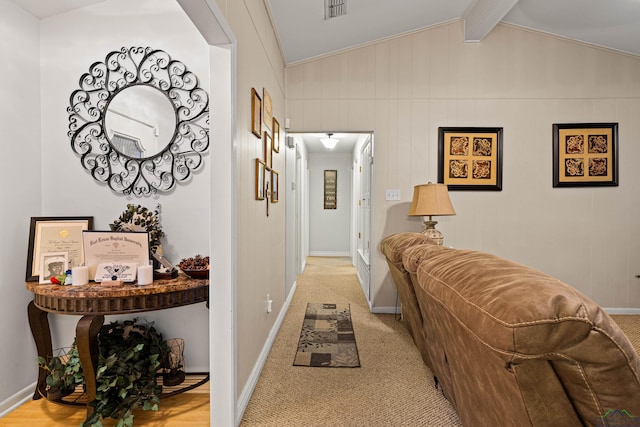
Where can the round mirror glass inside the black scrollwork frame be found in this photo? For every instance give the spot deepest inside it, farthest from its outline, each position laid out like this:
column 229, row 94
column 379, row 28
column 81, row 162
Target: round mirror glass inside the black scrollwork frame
column 140, row 121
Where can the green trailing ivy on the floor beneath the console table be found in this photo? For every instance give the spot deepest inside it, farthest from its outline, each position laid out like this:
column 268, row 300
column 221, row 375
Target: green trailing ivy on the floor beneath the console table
column 130, row 355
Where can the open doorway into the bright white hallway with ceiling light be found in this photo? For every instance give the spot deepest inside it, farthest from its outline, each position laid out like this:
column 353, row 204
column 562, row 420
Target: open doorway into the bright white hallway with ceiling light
column 330, row 201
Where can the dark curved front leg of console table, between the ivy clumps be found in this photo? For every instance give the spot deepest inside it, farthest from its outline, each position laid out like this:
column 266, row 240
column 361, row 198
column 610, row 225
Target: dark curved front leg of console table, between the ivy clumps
column 87, row 339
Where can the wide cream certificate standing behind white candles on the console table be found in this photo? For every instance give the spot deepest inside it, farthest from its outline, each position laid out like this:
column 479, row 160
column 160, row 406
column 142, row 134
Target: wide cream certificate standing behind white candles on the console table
column 113, row 247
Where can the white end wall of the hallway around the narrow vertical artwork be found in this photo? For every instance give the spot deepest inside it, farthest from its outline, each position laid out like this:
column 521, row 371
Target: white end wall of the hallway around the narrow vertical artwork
column 329, row 229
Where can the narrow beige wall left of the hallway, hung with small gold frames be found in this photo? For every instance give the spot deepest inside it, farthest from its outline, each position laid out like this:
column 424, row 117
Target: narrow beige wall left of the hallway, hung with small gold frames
column 260, row 250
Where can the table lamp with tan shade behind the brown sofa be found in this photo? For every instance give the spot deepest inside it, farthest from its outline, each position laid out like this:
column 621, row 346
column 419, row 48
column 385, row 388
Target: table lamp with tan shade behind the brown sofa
column 431, row 200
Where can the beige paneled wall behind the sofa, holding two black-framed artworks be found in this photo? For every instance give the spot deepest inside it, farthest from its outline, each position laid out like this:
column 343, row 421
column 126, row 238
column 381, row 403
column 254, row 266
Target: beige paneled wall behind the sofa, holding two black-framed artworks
column 404, row 88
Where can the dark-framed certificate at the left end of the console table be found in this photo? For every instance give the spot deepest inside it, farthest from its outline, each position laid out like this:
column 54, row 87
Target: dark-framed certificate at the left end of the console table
column 55, row 235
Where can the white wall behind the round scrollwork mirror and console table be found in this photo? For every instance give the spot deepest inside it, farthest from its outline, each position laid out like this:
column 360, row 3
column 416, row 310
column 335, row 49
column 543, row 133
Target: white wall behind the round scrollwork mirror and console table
column 70, row 43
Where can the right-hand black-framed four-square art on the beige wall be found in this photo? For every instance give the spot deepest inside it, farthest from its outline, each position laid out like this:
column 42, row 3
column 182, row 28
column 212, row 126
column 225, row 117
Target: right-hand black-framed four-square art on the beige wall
column 585, row 154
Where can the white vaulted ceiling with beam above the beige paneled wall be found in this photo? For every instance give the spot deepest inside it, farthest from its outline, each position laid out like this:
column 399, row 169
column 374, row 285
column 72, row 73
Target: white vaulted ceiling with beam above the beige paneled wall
column 304, row 33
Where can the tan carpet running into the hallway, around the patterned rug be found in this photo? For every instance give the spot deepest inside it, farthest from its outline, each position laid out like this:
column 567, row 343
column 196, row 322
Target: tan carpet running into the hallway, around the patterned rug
column 392, row 388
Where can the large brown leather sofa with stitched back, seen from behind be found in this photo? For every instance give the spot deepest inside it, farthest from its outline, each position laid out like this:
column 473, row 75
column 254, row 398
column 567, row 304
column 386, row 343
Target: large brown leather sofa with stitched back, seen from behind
column 511, row 346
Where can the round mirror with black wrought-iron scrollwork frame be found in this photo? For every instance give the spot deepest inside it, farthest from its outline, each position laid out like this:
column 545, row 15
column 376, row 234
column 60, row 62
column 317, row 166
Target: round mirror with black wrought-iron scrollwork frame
column 139, row 121
